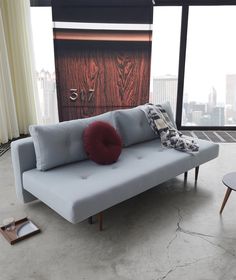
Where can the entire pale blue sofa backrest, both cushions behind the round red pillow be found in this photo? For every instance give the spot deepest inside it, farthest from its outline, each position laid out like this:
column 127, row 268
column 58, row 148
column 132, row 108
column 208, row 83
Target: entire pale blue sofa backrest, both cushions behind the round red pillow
column 62, row 143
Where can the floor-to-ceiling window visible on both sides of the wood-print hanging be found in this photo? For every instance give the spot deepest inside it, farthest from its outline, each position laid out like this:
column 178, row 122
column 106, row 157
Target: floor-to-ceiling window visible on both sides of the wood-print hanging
column 205, row 90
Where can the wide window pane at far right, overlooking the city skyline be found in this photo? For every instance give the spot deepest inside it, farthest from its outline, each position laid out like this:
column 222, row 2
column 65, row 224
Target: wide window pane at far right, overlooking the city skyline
column 210, row 73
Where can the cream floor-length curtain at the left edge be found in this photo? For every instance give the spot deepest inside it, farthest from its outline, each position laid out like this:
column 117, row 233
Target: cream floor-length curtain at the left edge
column 21, row 77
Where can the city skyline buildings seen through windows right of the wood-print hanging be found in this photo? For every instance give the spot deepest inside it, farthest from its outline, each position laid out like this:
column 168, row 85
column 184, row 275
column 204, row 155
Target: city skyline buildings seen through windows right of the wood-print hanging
column 195, row 113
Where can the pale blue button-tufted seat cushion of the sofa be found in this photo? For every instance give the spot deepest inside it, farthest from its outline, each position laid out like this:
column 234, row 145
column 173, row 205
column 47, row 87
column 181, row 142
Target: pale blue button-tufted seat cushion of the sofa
column 77, row 191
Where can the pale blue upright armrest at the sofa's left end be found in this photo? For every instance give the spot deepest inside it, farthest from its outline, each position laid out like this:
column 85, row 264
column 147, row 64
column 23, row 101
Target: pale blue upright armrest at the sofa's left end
column 23, row 159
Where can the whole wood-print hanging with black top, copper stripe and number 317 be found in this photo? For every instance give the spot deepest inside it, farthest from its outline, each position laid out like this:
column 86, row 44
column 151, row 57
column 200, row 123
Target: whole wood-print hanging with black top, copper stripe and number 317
column 101, row 70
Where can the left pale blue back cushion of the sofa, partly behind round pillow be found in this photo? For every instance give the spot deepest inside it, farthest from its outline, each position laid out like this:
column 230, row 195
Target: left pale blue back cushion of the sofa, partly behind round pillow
column 62, row 143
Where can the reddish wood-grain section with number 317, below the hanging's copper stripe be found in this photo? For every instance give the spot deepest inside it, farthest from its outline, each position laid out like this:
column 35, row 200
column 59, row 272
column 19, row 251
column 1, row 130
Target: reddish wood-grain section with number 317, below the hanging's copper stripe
column 118, row 73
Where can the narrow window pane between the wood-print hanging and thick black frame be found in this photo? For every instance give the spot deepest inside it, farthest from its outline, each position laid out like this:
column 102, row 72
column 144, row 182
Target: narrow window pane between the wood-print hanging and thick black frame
column 165, row 55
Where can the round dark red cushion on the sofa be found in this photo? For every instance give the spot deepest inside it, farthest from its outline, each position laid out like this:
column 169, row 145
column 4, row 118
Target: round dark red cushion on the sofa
column 102, row 143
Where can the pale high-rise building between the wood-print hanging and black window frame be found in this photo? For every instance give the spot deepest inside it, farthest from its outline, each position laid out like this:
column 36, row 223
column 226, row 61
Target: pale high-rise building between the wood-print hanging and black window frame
column 165, row 89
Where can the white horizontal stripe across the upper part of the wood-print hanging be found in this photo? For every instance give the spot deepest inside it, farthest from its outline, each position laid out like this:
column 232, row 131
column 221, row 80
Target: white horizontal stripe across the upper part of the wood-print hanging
column 102, row 26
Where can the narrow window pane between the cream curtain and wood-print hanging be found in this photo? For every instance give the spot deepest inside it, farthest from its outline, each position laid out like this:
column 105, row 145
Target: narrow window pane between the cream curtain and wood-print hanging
column 41, row 19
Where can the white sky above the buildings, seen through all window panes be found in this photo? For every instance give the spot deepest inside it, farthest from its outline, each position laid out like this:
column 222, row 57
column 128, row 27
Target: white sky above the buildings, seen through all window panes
column 211, row 46
